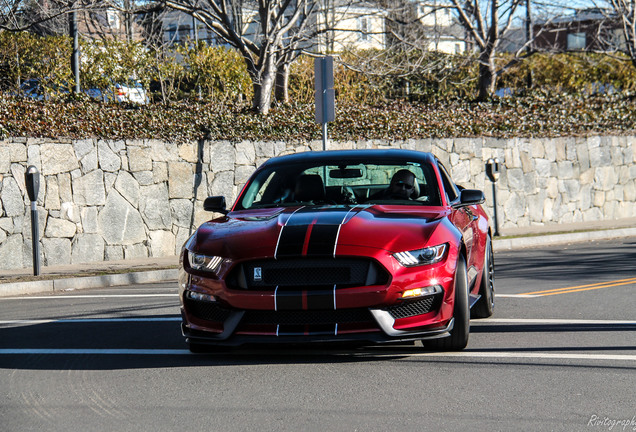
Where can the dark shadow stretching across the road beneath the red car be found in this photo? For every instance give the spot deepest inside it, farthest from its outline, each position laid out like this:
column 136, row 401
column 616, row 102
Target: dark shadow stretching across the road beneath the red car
column 164, row 335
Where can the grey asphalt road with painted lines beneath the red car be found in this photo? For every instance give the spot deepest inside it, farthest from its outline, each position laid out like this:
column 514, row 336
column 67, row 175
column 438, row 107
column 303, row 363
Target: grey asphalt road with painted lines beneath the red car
column 559, row 354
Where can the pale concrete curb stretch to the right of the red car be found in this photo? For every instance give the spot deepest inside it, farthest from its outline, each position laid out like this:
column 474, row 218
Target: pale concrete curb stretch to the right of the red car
column 559, row 239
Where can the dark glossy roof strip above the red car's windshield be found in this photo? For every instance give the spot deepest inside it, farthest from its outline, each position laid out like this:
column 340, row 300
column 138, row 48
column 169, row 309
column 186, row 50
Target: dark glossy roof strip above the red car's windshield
column 351, row 156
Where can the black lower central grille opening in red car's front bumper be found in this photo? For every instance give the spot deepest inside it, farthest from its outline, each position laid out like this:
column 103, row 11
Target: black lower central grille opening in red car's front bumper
column 309, row 317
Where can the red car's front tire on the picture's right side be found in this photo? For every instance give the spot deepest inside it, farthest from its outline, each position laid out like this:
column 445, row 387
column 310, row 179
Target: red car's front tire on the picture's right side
column 458, row 338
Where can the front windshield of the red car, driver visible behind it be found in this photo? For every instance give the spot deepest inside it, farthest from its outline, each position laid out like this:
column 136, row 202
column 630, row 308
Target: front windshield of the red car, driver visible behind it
column 408, row 183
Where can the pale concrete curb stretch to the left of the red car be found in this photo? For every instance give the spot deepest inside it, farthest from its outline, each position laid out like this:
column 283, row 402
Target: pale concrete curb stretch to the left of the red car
column 66, row 284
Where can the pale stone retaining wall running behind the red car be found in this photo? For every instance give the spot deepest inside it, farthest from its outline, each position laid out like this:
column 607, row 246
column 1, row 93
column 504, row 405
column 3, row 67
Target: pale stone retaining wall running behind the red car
column 111, row 200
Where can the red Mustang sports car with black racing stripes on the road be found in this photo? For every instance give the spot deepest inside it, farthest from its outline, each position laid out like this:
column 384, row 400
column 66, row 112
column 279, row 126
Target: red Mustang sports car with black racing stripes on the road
column 358, row 245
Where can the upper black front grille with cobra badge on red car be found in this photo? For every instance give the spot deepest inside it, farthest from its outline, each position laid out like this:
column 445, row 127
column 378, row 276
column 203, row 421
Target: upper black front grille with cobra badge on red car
column 307, row 273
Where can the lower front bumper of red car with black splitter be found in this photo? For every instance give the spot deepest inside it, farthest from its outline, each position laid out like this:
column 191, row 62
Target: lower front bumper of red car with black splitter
column 236, row 327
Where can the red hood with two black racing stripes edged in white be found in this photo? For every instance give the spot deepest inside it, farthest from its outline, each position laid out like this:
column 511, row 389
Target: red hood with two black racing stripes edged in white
column 316, row 230
